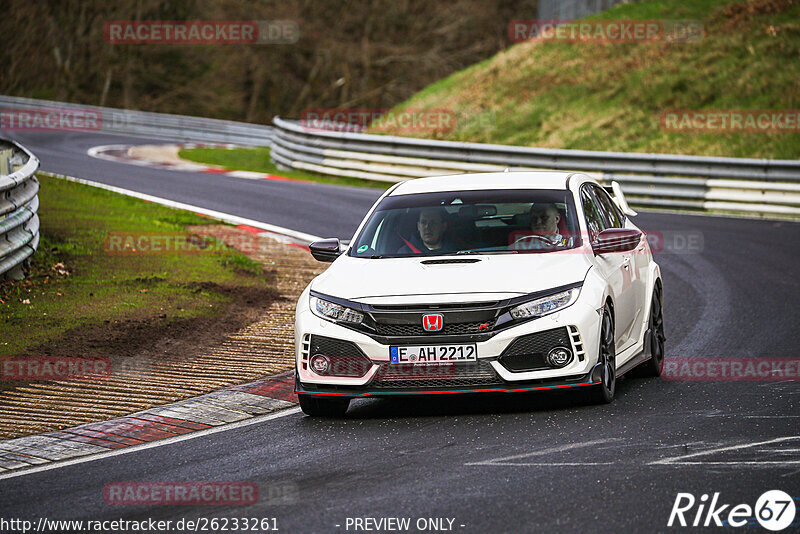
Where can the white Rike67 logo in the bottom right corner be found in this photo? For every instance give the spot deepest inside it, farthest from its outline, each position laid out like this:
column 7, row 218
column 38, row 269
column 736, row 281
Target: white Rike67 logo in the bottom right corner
column 775, row 510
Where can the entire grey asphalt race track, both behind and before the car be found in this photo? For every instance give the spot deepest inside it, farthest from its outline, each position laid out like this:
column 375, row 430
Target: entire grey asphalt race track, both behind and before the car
column 522, row 463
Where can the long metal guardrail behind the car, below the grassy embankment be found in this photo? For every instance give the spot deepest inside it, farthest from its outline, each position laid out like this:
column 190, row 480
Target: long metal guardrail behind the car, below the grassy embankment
column 763, row 186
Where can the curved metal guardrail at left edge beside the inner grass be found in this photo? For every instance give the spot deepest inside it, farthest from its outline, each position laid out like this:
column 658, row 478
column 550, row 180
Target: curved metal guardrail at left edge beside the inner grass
column 19, row 223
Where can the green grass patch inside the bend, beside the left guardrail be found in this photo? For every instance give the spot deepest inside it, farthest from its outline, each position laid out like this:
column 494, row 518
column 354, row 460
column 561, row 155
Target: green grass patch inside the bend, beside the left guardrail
column 99, row 286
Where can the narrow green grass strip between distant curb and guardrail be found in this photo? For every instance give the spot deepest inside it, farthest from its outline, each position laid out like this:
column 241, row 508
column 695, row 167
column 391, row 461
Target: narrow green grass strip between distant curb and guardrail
column 258, row 160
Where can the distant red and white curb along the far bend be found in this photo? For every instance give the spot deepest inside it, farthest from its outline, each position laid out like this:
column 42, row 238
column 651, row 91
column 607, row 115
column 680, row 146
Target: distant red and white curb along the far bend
column 122, row 154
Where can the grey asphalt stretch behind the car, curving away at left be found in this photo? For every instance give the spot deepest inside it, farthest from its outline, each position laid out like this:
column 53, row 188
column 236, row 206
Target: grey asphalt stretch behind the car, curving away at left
column 307, row 207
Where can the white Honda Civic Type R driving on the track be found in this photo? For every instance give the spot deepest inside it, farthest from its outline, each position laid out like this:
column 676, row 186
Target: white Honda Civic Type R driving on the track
column 500, row 282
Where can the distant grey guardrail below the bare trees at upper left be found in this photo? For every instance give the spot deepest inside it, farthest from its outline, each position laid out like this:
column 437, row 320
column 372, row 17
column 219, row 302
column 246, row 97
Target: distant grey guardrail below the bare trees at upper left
column 178, row 127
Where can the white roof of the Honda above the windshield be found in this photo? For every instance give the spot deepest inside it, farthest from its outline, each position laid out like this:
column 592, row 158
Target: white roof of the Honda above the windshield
column 488, row 180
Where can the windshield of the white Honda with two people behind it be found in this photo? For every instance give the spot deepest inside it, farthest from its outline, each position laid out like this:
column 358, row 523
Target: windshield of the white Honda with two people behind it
column 470, row 222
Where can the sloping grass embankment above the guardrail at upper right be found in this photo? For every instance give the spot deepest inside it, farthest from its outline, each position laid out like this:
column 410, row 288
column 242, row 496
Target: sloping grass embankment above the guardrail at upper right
column 610, row 96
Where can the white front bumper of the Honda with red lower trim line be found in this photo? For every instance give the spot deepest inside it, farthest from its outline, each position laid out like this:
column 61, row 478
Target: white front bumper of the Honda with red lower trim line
column 581, row 321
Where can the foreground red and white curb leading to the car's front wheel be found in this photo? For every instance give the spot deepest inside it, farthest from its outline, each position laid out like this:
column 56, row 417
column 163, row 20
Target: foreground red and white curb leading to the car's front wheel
column 230, row 405
